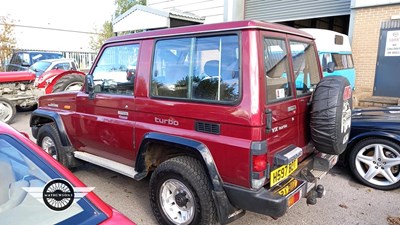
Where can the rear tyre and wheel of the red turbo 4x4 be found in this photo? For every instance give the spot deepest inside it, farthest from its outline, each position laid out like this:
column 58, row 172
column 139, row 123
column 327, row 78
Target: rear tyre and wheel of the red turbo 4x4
column 180, row 193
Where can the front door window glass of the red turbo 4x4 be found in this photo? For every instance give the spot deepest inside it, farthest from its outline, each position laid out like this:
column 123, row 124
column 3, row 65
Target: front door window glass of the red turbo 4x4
column 115, row 71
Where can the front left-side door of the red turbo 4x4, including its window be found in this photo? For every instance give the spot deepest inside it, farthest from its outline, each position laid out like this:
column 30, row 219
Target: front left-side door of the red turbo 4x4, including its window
column 105, row 125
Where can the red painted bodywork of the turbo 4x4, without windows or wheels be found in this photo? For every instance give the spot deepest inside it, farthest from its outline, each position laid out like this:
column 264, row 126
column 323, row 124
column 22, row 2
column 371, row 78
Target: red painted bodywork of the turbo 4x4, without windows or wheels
column 96, row 127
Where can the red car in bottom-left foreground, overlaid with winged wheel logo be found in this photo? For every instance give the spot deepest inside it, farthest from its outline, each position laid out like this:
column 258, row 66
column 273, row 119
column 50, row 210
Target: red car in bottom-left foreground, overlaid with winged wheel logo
column 36, row 189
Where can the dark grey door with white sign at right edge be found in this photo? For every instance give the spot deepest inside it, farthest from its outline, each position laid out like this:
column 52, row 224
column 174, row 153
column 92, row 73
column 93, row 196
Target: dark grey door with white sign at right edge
column 387, row 67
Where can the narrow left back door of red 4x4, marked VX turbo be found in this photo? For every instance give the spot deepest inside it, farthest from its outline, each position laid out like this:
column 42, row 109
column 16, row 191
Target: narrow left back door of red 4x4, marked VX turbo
column 281, row 105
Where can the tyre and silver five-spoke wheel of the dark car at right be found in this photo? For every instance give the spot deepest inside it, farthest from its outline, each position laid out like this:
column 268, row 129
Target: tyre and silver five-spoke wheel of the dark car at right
column 376, row 163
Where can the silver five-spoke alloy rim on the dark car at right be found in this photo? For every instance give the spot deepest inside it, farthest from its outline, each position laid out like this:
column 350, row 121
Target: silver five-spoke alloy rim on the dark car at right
column 378, row 164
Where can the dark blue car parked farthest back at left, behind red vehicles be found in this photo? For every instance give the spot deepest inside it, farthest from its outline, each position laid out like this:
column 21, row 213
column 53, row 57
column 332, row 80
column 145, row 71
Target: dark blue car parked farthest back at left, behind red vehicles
column 22, row 60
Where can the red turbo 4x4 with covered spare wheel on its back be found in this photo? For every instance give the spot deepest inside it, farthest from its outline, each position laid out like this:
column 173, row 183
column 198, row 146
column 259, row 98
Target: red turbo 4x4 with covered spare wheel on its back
column 225, row 118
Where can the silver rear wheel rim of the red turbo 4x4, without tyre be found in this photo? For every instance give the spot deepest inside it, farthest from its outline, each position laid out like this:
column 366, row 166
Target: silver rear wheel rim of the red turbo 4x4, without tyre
column 177, row 202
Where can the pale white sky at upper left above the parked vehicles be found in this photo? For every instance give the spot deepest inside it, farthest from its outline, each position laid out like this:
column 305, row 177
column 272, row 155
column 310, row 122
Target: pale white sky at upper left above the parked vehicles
column 62, row 17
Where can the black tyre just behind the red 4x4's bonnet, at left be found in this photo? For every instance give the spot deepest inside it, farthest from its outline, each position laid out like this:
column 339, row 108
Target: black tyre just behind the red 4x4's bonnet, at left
column 69, row 82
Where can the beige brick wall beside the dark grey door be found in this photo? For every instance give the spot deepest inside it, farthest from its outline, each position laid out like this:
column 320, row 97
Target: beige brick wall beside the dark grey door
column 365, row 42
